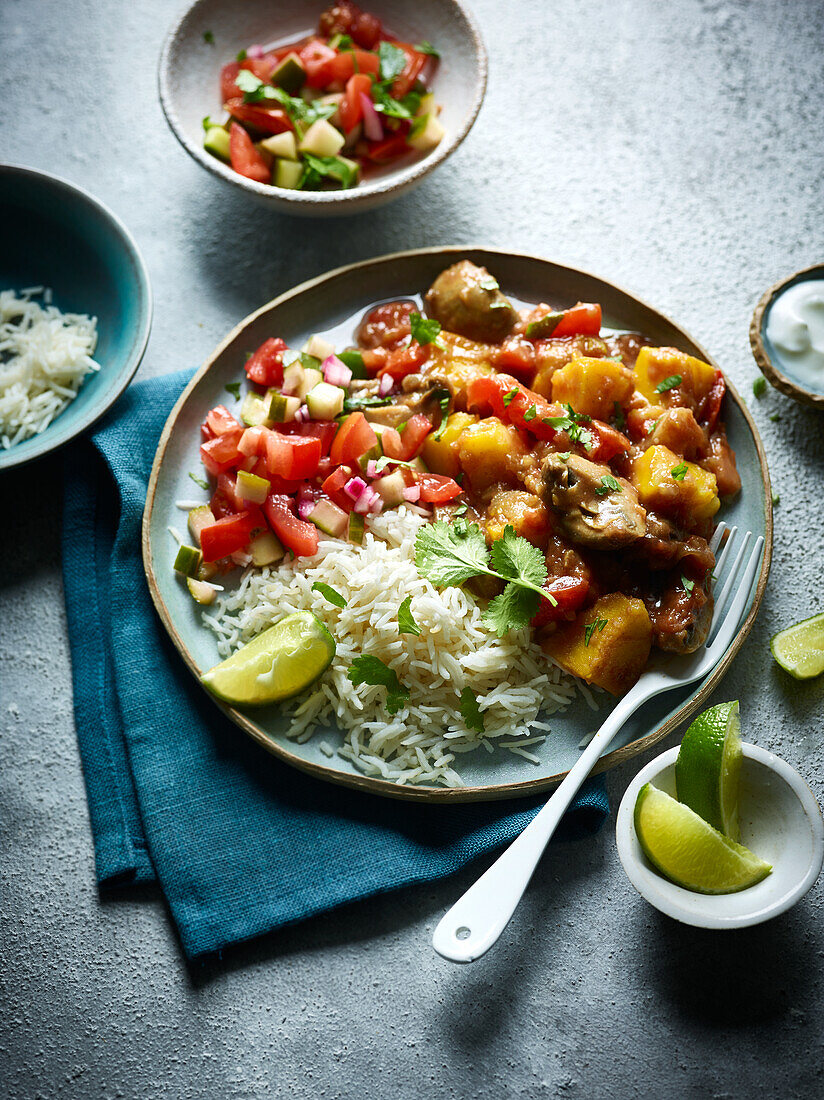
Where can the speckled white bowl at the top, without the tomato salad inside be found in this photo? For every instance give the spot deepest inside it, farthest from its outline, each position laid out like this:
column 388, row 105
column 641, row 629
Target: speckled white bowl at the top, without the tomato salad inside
column 190, row 84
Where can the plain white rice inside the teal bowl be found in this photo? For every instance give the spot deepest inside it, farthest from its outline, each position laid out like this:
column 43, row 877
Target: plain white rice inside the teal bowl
column 45, row 357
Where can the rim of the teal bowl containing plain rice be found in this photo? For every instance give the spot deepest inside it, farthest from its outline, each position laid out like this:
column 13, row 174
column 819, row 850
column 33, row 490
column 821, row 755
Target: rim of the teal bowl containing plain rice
column 57, row 436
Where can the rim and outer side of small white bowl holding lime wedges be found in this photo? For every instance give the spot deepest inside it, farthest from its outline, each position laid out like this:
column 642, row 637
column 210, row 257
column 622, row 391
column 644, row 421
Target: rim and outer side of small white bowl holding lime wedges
column 632, row 859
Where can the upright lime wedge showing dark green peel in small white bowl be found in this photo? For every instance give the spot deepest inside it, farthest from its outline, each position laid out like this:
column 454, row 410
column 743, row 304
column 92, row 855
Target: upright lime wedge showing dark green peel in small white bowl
column 709, row 766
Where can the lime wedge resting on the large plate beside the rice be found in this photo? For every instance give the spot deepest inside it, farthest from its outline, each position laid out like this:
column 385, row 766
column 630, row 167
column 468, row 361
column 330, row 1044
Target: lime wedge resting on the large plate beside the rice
column 282, row 662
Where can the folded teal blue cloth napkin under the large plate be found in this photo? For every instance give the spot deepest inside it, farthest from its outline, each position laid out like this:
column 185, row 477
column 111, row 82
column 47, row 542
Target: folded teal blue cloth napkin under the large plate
column 240, row 843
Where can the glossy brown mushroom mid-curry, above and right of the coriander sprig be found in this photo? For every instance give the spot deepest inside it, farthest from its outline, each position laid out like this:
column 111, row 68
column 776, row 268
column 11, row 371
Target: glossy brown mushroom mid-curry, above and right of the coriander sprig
column 588, row 508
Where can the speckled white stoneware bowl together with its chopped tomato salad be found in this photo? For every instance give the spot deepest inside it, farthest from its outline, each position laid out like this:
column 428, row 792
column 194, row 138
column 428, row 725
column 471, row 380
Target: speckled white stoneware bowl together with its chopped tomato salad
column 322, row 108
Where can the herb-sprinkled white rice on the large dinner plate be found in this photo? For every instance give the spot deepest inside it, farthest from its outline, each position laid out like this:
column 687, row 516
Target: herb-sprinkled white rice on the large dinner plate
column 513, row 679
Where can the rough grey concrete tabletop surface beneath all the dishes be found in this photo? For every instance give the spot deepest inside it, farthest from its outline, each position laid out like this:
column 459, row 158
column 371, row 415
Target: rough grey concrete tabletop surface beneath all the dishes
column 674, row 148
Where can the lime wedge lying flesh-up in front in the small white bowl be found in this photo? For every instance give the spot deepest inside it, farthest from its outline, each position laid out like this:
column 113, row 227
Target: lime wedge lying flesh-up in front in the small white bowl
column 689, row 852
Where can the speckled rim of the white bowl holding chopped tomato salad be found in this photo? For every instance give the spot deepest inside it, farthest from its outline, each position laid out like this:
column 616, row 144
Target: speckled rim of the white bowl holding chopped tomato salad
column 329, row 202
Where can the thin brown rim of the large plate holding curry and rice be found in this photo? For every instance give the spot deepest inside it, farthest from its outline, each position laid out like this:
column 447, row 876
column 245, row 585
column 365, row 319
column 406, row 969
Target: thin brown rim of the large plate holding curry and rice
column 433, row 795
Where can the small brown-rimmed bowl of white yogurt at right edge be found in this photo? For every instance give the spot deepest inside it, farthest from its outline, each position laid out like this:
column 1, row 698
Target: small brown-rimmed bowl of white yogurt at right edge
column 787, row 336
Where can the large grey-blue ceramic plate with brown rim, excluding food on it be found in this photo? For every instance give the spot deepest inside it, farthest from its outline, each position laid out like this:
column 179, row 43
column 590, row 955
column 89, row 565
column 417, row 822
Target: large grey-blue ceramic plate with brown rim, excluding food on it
column 321, row 306
